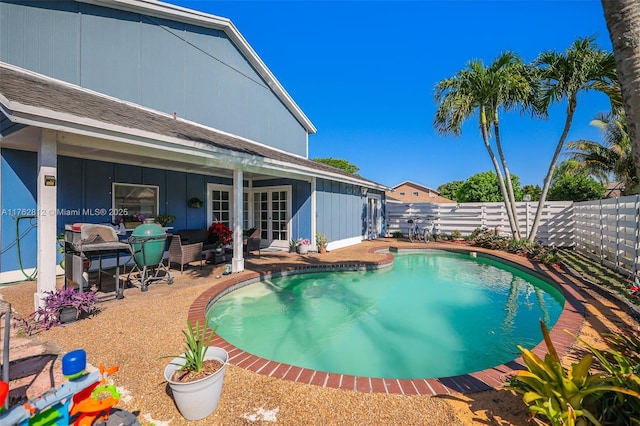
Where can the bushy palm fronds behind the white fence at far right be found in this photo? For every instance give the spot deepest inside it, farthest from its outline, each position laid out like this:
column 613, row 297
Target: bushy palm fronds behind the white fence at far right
column 611, row 158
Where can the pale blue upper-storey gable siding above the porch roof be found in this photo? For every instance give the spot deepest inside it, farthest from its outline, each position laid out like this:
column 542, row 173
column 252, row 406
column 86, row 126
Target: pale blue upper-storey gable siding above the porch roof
column 169, row 66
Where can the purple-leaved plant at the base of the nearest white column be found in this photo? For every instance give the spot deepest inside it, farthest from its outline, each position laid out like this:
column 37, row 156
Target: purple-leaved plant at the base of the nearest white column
column 64, row 306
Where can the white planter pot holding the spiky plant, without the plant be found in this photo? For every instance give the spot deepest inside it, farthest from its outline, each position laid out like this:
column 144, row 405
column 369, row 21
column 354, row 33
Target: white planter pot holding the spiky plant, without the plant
column 196, row 400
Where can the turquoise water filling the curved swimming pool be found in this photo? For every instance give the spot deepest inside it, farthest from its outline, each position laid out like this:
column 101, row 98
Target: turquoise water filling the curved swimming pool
column 433, row 314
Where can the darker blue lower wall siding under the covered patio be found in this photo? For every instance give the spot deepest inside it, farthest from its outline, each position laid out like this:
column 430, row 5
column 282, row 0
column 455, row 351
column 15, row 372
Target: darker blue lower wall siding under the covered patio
column 86, row 185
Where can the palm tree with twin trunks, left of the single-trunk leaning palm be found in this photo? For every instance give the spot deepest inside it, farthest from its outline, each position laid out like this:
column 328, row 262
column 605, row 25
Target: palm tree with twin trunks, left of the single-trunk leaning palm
column 483, row 90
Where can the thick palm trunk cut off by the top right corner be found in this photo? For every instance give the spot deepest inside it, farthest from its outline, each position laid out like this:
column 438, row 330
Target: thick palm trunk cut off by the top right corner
column 623, row 22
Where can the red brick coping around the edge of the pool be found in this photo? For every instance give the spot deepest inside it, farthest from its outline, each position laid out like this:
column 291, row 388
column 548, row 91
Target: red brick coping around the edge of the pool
column 570, row 319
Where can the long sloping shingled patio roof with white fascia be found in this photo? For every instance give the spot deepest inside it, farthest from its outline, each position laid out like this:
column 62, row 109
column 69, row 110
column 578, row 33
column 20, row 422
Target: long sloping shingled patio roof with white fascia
column 31, row 99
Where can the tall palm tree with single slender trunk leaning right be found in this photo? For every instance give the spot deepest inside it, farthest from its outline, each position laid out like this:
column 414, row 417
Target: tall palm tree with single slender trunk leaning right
column 583, row 66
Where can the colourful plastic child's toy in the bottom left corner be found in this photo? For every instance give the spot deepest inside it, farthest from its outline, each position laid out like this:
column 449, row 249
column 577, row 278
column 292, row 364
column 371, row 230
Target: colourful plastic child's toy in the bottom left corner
column 92, row 399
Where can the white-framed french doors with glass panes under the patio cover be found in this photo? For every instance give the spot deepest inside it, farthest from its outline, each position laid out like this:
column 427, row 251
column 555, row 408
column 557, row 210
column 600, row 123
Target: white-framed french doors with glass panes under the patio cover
column 272, row 213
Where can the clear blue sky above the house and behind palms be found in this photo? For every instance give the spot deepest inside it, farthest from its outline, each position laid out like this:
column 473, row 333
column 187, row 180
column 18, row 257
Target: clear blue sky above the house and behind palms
column 364, row 74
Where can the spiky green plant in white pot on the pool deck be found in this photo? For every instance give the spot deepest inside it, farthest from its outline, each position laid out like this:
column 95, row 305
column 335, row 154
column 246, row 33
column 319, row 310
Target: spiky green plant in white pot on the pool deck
column 195, row 377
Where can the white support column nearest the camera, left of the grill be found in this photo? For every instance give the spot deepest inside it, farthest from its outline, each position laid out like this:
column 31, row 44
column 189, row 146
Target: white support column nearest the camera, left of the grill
column 46, row 209
